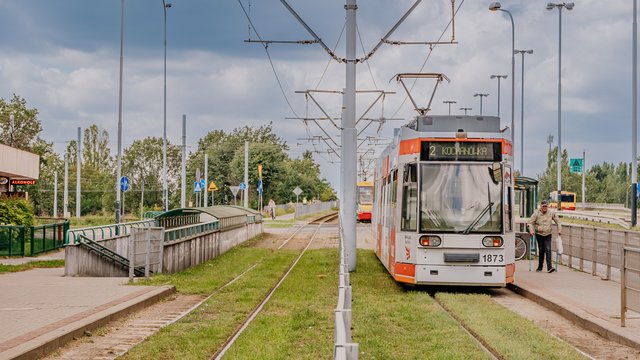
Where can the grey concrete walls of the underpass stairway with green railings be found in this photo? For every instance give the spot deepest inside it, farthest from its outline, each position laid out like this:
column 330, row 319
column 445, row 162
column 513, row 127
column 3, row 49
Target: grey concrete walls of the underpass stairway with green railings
column 178, row 255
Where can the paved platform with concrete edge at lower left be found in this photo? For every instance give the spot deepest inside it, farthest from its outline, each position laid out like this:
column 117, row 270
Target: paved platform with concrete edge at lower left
column 40, row 309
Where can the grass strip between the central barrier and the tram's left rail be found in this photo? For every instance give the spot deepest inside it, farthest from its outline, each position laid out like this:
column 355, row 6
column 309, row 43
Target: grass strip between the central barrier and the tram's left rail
column 391, row 321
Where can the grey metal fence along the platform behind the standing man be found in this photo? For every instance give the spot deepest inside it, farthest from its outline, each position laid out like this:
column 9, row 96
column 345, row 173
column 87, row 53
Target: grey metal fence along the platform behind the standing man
column 585, row 248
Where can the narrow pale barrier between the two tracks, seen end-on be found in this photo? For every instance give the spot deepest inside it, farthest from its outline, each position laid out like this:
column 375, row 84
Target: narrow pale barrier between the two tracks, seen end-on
column 343, row 347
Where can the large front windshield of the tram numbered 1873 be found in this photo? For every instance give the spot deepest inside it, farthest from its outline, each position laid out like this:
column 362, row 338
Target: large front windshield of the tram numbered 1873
column 459, row 198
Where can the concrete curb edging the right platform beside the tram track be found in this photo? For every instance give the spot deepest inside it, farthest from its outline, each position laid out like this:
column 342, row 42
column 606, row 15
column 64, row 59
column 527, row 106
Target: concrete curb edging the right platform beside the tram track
column 586, row 321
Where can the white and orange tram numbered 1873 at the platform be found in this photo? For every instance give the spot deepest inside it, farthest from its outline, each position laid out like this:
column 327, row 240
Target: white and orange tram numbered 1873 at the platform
column 443, row 203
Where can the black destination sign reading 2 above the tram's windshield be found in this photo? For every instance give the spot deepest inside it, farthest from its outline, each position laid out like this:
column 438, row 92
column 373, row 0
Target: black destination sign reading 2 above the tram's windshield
column 460, row 151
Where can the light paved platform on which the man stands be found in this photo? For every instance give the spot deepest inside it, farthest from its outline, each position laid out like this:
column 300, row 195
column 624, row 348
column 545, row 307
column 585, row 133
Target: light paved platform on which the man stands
column 586, row 300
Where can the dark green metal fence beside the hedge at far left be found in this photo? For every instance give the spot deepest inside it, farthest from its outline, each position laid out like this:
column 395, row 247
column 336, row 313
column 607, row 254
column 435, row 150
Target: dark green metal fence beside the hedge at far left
column 32, row 240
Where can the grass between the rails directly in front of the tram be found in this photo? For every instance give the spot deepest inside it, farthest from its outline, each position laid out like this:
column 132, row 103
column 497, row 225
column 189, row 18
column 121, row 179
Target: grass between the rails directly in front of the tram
column 513, row 336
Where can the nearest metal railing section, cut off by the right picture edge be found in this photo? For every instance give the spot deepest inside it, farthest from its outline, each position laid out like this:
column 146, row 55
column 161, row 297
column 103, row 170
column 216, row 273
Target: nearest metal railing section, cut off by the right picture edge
column 629, row 282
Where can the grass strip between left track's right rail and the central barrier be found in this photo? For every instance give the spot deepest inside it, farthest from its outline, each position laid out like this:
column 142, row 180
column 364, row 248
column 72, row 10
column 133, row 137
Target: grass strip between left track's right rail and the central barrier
column 297, row 322
